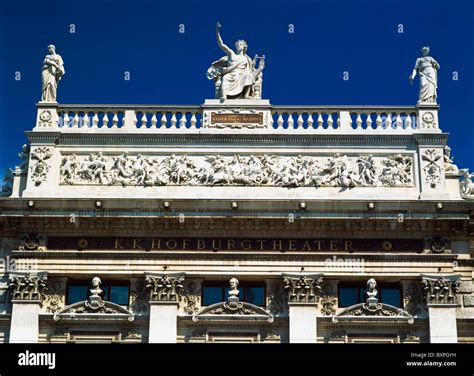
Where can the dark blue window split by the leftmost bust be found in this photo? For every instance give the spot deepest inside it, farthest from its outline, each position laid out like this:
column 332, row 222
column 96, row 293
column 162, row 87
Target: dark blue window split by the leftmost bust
column 115, row 292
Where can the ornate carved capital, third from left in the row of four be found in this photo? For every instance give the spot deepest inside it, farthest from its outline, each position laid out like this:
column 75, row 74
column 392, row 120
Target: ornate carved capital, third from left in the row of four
column 302, row 288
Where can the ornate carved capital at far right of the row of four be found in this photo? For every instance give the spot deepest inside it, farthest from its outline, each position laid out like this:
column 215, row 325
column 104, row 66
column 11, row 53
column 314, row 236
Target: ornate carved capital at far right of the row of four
column 439, row 289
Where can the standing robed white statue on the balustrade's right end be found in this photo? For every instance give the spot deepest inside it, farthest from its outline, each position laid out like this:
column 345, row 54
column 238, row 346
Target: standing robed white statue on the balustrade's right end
column 427, row 67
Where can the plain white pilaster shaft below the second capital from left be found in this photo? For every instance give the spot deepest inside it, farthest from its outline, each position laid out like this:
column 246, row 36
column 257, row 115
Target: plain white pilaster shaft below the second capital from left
column 163, row 322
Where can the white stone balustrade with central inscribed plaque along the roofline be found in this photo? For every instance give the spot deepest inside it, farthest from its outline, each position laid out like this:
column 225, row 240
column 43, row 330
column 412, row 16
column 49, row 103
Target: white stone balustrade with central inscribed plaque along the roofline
column 276, row 119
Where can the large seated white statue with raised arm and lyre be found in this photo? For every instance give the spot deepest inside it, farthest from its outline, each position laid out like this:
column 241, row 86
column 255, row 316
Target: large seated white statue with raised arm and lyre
column 236, row 75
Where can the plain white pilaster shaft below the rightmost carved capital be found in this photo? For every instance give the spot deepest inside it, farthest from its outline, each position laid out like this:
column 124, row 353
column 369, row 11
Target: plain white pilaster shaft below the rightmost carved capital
column 443, row 327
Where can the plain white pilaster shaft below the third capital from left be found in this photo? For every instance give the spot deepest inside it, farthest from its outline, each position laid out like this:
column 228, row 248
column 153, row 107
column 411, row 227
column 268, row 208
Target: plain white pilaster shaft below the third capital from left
column 303, row 324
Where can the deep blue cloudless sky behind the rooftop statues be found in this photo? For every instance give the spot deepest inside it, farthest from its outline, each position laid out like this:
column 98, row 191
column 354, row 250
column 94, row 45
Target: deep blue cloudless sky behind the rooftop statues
column 304, row 67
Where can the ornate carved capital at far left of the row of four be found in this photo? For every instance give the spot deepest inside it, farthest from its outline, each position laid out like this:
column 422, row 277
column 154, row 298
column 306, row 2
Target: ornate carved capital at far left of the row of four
column 27, row 286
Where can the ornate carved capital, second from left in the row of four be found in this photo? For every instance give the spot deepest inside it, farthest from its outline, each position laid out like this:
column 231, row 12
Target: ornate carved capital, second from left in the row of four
column 165, row 287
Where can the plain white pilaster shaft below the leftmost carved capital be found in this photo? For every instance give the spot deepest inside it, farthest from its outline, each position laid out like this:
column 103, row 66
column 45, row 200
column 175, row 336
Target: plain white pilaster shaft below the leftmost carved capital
column 24, row 326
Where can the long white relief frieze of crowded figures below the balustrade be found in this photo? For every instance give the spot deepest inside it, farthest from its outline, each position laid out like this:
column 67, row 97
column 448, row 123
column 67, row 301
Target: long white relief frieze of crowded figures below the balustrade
column 254, row 170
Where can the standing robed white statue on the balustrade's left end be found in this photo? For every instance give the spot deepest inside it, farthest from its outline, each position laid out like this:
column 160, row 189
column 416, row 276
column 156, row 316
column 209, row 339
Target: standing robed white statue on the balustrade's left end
column 51, row 73
